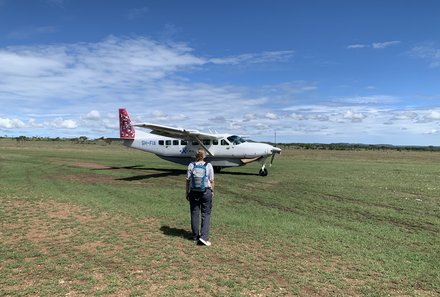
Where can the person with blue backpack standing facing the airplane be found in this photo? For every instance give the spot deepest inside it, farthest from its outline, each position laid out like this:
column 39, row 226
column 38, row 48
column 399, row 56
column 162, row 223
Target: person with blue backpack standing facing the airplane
column 199, row 193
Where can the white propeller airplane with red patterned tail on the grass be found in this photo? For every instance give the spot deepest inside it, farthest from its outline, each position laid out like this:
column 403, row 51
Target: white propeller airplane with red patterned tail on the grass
column 179, row 145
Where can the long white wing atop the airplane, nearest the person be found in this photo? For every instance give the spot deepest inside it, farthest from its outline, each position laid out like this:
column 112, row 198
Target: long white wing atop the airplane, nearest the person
column 178, row 132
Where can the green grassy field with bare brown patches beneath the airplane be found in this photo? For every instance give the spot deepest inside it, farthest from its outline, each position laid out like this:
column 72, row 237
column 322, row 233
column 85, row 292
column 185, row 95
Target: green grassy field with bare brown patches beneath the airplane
column 103, row 220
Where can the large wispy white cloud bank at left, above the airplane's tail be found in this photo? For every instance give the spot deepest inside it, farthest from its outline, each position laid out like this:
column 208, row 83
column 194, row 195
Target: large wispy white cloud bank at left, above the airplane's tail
column 109, row 68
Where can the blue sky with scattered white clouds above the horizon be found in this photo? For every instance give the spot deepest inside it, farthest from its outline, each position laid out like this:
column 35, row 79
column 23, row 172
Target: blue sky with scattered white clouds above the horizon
column 313, row 71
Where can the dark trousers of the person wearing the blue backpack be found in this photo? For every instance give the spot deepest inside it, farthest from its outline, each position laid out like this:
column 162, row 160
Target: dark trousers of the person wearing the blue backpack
column 200, row 202
